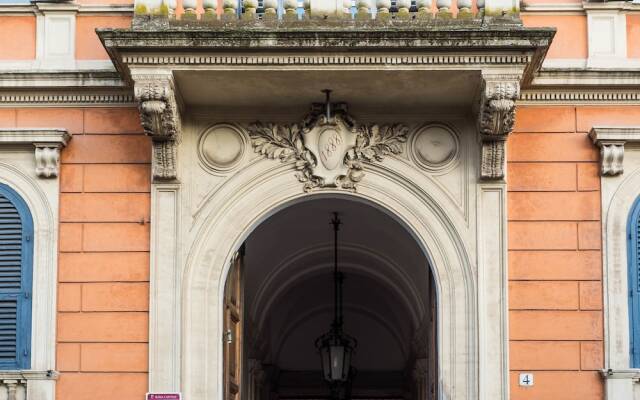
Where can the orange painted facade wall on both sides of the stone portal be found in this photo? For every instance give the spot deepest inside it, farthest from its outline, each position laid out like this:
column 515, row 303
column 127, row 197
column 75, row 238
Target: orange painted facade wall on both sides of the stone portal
column 556, row 323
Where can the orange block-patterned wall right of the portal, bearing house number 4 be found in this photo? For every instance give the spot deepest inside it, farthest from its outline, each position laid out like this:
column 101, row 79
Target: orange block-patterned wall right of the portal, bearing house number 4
column 555, row 267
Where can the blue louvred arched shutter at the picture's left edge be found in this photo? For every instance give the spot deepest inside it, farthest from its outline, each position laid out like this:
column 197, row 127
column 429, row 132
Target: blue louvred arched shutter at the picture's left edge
column 16, row 258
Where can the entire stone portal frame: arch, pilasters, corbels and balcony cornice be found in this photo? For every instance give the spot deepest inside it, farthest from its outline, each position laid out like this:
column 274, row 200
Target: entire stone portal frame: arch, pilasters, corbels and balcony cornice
column 191, row 246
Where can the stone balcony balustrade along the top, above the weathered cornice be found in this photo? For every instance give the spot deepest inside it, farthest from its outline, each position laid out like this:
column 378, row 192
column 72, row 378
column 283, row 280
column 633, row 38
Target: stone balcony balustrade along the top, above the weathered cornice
column 362, row 10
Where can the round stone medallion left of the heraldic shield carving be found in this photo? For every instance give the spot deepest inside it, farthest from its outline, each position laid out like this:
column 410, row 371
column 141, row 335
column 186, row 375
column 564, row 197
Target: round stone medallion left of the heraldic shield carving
column 222, row 147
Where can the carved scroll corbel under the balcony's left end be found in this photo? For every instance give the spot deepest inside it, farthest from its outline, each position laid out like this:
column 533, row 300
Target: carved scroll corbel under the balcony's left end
column 161, row 121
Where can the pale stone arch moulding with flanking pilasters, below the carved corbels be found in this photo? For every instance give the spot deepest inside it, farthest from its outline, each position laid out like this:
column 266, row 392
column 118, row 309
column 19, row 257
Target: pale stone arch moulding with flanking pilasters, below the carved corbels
column 189, row 267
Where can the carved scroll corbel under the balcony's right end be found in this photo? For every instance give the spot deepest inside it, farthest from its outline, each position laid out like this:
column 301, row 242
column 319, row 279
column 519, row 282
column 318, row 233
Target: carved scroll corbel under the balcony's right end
column 495, row 122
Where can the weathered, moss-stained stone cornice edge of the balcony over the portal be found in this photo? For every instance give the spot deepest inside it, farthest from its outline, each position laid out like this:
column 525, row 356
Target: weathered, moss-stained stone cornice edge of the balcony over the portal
column 411, row 43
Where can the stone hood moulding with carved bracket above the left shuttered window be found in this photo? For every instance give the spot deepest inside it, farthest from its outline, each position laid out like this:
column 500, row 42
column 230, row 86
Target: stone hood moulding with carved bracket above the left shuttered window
column 48, row 144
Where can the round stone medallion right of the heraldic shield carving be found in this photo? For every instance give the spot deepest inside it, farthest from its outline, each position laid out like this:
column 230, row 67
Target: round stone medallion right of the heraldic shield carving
column 435, row 147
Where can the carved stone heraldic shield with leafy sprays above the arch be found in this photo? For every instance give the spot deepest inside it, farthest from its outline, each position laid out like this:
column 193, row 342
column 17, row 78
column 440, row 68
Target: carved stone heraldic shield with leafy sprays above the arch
column 328, row 149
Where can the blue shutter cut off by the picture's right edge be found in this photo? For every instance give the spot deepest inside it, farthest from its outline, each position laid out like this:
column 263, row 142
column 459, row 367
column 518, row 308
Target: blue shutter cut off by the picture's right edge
column 634, row 282
